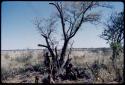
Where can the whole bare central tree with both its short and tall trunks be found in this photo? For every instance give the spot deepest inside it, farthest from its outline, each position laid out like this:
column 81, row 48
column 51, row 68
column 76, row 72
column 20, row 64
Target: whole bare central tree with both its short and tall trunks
column 71, row 15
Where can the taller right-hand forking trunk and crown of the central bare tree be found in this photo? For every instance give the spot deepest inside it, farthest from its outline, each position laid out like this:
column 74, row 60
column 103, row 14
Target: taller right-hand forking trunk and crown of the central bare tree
column 73, row 16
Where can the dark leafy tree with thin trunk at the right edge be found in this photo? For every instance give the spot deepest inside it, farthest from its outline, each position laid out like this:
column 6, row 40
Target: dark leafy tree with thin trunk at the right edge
column 114, row 34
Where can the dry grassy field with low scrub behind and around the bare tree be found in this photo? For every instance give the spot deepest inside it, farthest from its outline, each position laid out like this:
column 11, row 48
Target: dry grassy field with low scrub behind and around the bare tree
column 21, row 66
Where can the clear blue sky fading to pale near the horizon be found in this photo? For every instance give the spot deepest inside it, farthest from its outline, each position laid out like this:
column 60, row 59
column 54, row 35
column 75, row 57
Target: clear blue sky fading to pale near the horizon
column 18, row 30
